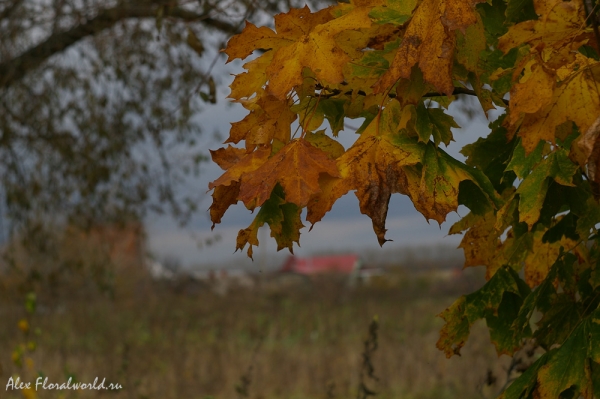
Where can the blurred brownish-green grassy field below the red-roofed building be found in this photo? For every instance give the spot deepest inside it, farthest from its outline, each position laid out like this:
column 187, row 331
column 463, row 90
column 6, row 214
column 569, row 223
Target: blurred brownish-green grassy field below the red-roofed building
column 300, row 343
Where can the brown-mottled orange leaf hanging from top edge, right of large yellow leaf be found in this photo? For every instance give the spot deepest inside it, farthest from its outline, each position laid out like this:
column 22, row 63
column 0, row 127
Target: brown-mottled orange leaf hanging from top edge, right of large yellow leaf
column 429, row 42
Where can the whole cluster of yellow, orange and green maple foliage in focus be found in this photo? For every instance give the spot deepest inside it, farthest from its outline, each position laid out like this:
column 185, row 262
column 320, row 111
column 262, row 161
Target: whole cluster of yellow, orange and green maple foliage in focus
column 530, row 185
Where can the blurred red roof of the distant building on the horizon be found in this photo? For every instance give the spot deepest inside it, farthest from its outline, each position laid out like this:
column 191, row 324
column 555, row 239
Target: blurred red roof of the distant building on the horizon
column 344, row 264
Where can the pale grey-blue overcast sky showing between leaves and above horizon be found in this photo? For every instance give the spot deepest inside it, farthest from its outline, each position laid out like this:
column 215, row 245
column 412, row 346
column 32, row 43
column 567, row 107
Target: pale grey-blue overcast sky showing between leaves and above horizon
column 343, row 228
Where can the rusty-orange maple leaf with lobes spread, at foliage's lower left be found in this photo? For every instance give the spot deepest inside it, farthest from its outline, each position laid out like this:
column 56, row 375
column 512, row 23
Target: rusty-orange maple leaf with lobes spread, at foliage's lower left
column 296, row 167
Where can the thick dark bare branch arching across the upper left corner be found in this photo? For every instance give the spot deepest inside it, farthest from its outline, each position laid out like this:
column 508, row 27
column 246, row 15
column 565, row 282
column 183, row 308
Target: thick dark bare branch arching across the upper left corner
column 16, row 68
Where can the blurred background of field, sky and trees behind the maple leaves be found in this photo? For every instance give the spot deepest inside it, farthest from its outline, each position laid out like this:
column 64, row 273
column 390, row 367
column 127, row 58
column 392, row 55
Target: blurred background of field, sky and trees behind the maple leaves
column 109, row 265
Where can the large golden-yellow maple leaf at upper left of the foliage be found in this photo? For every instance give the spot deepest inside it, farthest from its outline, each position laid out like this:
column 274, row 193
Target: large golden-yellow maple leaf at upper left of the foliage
column 302, row 40
